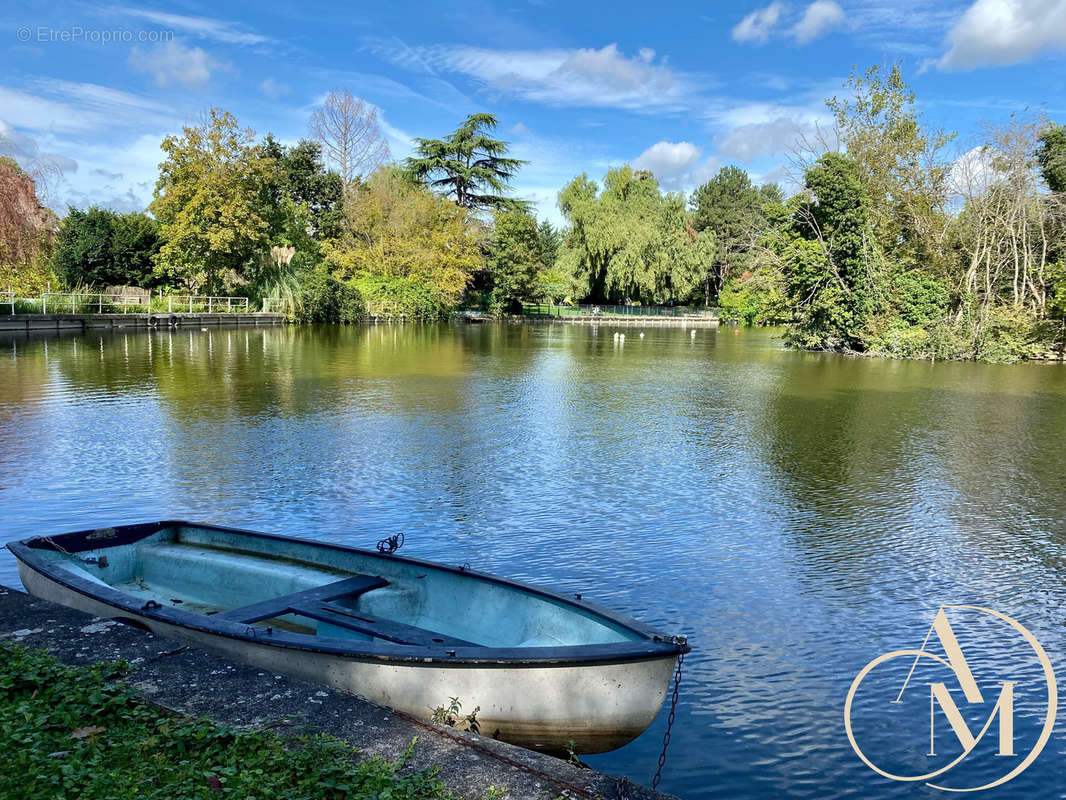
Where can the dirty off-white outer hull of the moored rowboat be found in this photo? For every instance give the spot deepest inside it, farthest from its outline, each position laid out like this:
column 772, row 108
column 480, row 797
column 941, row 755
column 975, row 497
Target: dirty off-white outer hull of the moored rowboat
column 590, row 708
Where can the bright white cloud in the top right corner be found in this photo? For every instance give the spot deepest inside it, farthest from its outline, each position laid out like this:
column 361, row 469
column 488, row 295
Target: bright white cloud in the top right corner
column 1003, row 33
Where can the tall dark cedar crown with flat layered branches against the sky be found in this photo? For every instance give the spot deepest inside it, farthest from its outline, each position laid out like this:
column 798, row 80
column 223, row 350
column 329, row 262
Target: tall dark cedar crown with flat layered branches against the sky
column 467, row 166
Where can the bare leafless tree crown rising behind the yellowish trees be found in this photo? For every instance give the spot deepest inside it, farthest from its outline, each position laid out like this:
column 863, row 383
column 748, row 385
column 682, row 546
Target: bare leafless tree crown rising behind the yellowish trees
column 350, row 135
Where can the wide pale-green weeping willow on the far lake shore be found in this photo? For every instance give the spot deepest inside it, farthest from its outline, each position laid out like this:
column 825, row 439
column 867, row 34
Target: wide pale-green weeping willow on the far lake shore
column 632, row 243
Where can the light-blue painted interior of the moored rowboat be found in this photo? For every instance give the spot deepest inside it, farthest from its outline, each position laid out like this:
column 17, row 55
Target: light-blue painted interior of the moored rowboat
column 208, row 571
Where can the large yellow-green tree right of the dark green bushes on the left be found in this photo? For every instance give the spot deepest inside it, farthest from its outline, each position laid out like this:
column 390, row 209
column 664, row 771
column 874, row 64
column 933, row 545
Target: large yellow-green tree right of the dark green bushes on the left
column 208, row 201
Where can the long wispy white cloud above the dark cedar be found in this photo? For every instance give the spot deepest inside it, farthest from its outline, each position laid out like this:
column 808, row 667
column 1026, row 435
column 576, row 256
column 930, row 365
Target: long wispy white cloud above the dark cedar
column 587, row 77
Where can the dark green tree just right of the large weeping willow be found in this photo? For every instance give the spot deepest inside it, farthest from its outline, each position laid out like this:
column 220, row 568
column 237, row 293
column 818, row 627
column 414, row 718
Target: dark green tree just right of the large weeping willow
column 730, row 206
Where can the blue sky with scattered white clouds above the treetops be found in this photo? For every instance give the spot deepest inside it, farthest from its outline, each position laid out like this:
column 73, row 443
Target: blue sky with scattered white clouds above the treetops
column 681, row 89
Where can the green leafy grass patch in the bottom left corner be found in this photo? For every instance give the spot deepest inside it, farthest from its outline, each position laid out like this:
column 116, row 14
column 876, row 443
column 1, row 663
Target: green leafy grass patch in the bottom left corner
column 70, row 732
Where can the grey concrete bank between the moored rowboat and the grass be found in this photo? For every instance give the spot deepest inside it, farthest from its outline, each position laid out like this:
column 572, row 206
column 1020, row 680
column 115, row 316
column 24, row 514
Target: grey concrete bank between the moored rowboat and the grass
column 199, row 684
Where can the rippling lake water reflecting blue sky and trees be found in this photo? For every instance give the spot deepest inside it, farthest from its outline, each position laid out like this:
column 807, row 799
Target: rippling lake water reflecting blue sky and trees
column 795, row 515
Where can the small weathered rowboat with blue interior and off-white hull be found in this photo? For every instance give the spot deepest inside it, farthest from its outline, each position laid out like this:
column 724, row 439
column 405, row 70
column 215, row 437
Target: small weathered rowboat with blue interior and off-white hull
column 547, row 671
